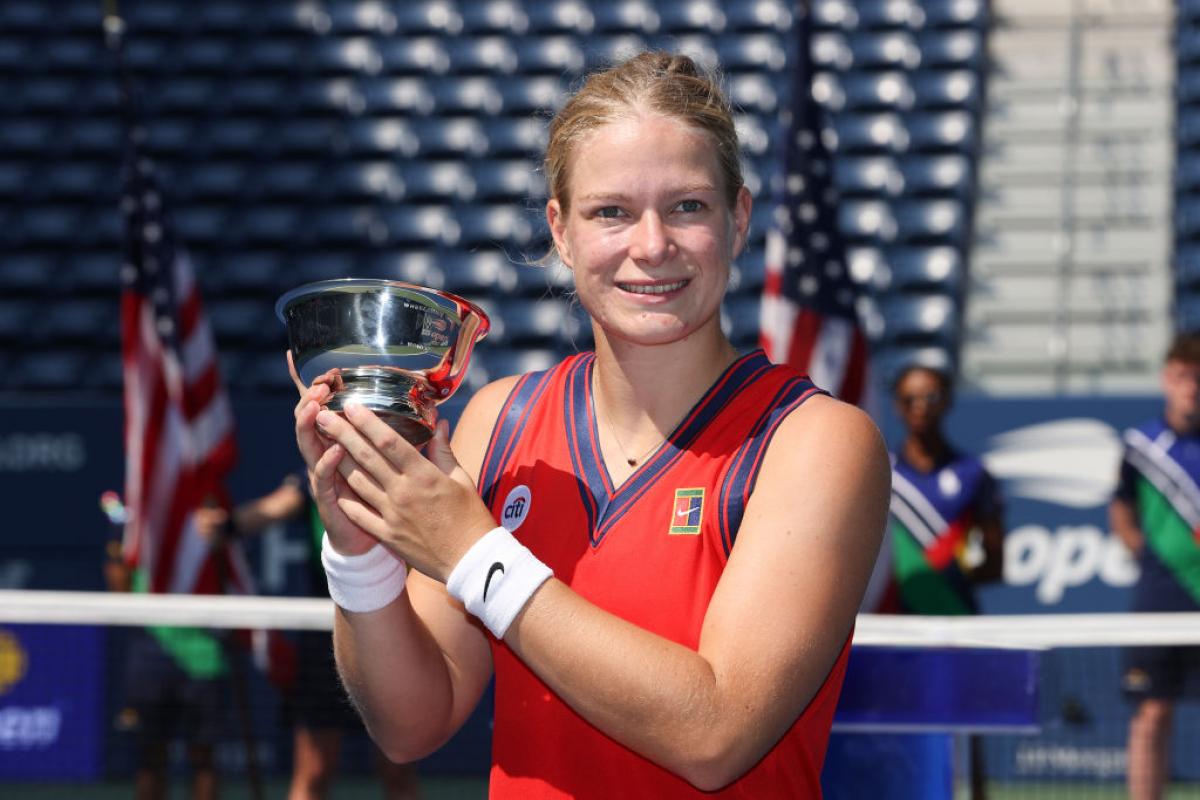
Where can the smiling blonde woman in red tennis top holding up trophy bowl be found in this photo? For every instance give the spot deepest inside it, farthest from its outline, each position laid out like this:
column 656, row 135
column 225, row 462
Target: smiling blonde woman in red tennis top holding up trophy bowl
column 700, row 526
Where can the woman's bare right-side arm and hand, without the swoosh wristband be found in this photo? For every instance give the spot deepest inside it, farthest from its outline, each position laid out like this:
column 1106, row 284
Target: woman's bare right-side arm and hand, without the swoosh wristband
column 805, row 552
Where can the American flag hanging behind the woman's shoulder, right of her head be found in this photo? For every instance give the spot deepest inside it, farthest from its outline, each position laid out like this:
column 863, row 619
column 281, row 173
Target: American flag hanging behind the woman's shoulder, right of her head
column 809, row 317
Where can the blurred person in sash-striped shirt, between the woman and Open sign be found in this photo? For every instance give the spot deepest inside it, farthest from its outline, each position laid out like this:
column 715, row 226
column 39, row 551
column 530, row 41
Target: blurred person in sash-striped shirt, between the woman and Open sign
column 947, row 526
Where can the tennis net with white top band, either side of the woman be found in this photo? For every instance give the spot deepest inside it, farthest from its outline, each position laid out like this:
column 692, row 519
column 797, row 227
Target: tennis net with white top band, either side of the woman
column 1042, row 696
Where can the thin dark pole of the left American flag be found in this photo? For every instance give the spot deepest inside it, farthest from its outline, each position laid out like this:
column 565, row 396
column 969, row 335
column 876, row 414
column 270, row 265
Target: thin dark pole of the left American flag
column 115, row 39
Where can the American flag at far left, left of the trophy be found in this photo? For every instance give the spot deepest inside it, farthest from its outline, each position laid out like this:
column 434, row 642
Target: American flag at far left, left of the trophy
column 179, row 431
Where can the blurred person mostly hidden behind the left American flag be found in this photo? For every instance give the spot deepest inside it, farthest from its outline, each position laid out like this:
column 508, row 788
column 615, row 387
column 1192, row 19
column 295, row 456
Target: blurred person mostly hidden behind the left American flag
column 176, row 685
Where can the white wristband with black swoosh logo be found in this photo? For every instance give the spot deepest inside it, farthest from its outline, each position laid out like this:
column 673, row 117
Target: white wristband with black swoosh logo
column 496, row 579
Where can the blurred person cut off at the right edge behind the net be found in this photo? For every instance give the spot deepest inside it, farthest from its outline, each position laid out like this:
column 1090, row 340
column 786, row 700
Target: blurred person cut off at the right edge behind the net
column 1156, row 513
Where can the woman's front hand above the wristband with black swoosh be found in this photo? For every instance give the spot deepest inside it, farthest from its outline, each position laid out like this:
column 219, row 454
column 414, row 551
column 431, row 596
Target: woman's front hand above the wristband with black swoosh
column 428, row 510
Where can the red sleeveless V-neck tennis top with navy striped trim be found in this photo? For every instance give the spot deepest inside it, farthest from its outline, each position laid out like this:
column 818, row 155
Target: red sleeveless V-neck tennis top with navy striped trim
column 650, row 552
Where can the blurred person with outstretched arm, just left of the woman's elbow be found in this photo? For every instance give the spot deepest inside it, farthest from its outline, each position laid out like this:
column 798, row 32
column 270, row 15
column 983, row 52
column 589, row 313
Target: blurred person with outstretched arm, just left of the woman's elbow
column 320, row 709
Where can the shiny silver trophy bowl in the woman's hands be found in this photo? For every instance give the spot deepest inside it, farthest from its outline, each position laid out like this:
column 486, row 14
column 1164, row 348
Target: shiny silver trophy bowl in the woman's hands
column 398, row 348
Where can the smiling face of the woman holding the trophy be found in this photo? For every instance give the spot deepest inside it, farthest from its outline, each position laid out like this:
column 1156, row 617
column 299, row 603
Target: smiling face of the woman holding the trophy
column 649, row 234
